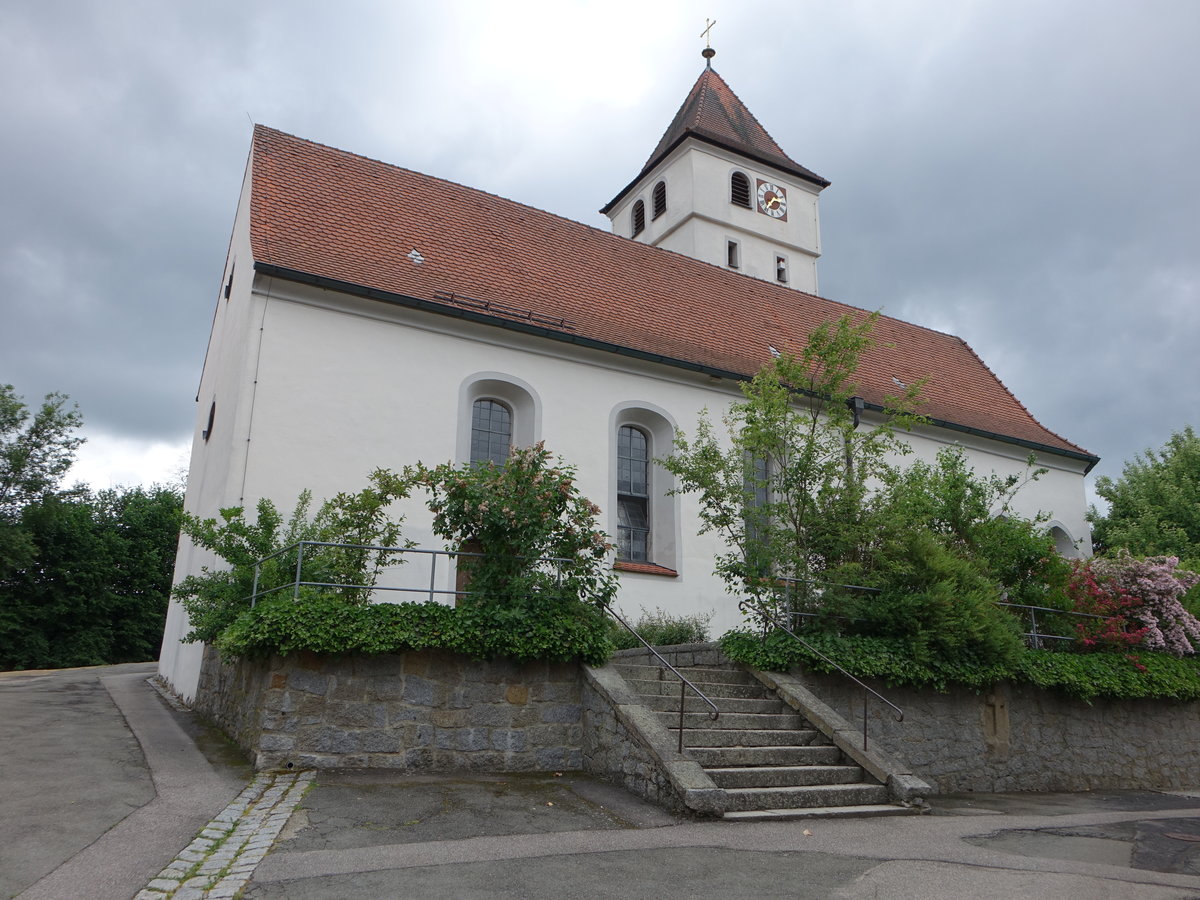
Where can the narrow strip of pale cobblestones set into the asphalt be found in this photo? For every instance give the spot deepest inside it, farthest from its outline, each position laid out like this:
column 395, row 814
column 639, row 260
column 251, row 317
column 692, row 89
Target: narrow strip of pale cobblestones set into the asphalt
column 219, row 863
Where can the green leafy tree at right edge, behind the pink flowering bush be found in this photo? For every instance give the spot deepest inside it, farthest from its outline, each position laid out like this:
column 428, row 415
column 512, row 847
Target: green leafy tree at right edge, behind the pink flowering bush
column 1155, row 506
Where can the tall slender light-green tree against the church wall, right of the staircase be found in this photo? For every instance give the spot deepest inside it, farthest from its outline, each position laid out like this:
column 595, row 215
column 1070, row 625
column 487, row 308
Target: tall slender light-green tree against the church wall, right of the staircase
column 788, row 488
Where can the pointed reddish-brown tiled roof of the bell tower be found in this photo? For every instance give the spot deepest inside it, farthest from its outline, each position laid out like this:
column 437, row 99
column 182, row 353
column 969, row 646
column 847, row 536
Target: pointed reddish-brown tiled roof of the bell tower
column 713, row 113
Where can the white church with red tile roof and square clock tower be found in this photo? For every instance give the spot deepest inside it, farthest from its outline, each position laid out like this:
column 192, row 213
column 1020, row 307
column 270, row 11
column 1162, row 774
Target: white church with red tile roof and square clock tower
column 370, row 316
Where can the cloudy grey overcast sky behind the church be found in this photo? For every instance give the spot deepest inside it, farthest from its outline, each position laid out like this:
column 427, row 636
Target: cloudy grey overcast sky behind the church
column 1024, row 175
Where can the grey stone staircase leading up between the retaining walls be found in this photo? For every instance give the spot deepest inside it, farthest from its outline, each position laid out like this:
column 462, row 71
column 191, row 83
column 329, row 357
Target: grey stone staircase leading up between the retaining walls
column 771, row 763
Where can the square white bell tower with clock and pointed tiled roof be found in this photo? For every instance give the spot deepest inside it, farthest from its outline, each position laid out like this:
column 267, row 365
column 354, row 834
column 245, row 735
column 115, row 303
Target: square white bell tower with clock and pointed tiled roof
column 721, row 190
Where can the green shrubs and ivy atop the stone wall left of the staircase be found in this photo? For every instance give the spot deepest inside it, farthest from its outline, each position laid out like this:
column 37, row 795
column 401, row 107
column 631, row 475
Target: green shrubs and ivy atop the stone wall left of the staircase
column 518, row 607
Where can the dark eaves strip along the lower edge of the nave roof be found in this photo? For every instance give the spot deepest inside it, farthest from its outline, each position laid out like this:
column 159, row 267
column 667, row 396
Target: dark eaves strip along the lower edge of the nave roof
column 388, row 297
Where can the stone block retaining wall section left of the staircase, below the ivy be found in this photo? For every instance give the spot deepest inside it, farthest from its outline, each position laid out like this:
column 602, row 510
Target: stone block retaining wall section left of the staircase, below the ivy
column 417, row 712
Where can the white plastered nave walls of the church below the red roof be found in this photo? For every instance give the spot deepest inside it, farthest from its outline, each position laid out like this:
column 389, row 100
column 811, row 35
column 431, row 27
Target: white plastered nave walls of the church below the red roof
column 317, row 389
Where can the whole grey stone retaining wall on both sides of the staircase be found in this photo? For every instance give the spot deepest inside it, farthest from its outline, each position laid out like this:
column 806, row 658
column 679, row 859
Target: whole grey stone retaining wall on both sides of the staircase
column 437, row 712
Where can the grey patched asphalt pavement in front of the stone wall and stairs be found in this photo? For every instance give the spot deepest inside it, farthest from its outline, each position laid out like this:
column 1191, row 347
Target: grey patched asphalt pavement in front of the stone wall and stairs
column 110, row 793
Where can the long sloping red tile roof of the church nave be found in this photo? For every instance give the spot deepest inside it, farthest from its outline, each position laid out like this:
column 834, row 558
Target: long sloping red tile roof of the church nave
column 341, row 218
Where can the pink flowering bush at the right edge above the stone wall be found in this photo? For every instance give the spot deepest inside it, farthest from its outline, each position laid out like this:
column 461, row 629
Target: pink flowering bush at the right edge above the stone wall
column 1156, row 586
